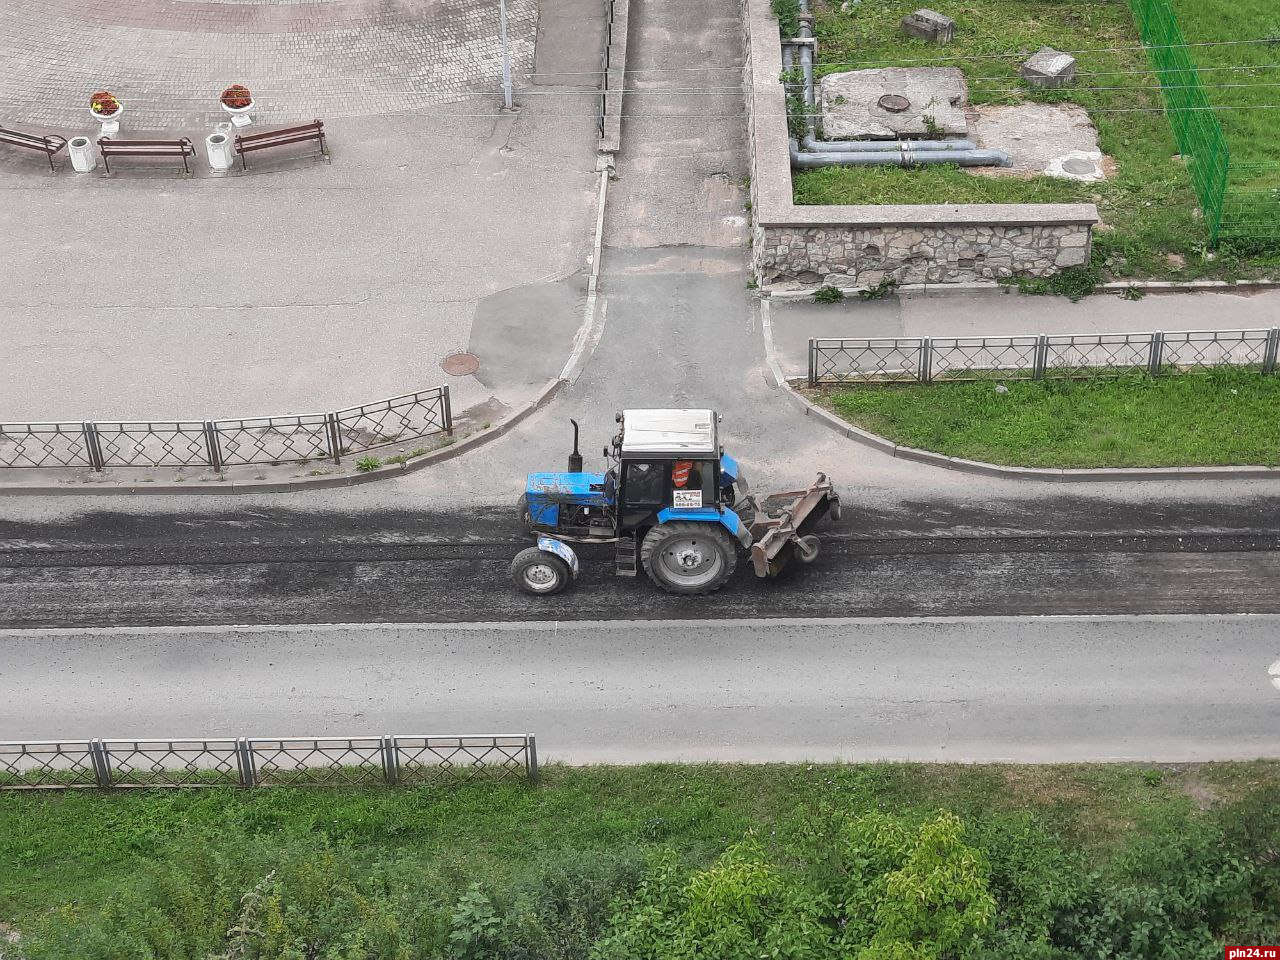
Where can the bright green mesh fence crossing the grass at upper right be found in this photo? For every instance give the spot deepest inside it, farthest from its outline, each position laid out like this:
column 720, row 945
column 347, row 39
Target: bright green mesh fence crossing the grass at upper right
column 1241, row 202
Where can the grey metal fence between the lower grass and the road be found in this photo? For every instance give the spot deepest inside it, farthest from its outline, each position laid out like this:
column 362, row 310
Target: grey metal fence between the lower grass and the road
column 259, row 762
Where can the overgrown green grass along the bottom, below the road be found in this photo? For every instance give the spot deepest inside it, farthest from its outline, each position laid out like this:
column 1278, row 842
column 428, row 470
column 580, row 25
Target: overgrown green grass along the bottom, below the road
column 519, row 872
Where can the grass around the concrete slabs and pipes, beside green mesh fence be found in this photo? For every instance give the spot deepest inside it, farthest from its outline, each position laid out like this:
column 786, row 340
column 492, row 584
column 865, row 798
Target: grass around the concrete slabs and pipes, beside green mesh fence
column 1149, row 209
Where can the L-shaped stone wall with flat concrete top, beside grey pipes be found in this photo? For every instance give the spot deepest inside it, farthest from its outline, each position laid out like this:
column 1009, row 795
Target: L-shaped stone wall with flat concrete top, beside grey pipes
column 858, row 246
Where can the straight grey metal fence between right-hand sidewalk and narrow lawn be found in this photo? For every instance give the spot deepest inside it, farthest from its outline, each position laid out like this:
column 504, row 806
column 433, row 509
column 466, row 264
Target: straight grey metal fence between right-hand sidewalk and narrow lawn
column 1054, row 356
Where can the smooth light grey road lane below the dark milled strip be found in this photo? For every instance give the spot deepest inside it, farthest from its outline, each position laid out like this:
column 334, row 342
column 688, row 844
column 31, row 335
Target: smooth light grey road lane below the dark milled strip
column 975, row 689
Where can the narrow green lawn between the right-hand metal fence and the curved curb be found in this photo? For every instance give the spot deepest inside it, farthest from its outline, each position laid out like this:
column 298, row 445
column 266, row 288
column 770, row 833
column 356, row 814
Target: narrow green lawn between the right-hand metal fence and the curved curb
column 1177, row 420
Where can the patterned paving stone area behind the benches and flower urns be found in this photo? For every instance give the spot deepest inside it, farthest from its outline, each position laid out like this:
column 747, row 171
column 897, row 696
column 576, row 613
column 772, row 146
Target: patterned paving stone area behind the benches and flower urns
column 168, row 61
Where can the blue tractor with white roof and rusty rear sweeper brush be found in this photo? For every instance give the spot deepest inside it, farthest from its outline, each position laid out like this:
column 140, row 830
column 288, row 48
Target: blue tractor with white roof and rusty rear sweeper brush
column 675, row 505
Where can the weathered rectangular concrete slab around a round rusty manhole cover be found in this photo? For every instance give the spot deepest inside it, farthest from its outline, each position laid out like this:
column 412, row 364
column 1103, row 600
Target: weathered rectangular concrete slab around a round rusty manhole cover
column 852, row 108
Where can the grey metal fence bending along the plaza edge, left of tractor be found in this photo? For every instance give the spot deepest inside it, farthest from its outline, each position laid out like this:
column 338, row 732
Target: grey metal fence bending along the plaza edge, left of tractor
column 218, row 444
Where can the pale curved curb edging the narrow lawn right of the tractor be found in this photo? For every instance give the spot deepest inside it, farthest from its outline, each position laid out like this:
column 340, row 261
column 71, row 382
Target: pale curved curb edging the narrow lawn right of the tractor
column 981, row 468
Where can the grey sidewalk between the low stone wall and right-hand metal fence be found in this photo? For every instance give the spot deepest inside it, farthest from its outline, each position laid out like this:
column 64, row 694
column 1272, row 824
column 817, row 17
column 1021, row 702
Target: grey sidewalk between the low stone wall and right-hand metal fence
column 1007, row 314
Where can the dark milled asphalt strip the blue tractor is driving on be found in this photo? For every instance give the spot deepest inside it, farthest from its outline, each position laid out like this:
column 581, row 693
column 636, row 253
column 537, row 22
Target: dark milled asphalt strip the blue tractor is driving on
column 1063, row 557
